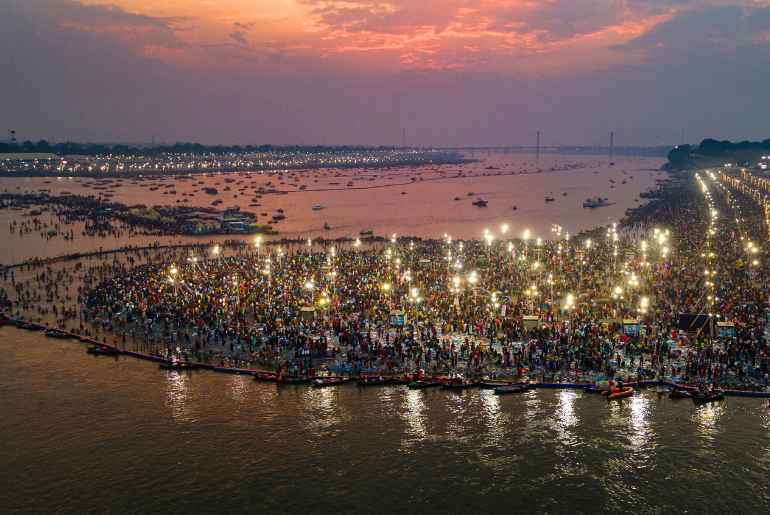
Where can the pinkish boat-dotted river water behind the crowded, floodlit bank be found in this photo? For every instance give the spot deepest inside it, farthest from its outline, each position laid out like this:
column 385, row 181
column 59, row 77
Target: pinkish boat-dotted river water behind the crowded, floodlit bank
column 374, row 201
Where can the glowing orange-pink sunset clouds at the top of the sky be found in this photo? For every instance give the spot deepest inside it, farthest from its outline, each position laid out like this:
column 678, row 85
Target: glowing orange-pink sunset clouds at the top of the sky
column 513, row 36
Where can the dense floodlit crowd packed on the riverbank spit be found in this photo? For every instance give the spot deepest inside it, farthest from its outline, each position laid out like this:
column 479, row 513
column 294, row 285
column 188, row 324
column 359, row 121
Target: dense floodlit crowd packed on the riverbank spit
column 678, row 290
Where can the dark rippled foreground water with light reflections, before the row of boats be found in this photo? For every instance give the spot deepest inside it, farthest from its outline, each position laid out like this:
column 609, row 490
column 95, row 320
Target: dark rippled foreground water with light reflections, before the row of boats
column 96, row 435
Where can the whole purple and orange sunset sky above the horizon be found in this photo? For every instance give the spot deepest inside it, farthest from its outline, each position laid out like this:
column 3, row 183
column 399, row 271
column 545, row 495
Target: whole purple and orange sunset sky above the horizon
column 453, row 72
